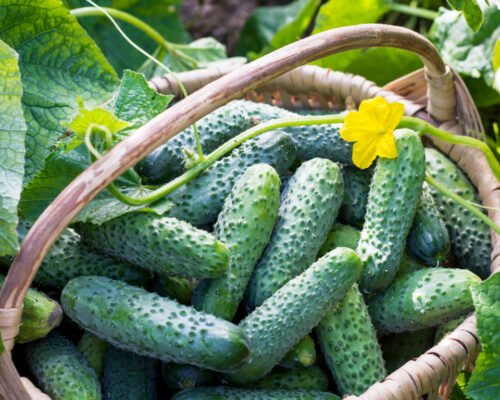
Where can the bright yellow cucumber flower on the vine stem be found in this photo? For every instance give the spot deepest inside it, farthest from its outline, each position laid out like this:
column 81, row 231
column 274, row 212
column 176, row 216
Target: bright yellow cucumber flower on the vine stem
column 372, row 130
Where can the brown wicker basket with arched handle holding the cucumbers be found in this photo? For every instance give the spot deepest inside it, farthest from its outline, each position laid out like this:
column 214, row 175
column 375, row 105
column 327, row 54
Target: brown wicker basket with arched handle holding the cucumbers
column 434, row 93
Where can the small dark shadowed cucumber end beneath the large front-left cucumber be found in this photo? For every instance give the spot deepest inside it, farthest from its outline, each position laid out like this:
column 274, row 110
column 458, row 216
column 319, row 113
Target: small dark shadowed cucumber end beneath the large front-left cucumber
column 183, row 376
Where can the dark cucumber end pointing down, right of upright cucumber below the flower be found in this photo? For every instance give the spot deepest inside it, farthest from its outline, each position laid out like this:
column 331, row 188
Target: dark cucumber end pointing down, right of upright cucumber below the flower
column 428, row 240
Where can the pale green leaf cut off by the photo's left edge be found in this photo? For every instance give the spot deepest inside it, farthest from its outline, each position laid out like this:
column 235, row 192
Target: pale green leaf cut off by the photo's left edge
column 12, row 134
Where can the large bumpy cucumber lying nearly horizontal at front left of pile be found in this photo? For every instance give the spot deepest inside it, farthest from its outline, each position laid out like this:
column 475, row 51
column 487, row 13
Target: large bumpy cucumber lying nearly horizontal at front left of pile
column 144, row 323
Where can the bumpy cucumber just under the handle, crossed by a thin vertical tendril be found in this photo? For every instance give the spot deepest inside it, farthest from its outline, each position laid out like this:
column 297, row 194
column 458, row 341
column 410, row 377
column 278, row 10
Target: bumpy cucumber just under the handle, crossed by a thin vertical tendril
column 167, row 161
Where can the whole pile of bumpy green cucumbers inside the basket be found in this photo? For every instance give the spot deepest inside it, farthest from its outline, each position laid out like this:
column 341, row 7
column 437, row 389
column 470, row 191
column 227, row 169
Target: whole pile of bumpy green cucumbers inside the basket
column 281, row 272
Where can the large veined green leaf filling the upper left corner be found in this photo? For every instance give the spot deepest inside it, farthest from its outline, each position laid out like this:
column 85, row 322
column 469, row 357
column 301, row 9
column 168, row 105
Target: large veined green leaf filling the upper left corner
column 58, row 62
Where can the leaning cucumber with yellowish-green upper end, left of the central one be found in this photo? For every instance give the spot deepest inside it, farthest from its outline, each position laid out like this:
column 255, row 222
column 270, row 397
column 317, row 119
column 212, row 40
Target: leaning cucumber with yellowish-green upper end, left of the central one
column 249, row 212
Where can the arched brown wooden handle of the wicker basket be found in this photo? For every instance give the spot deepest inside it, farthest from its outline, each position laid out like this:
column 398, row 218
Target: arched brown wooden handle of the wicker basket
column 58, row 215
